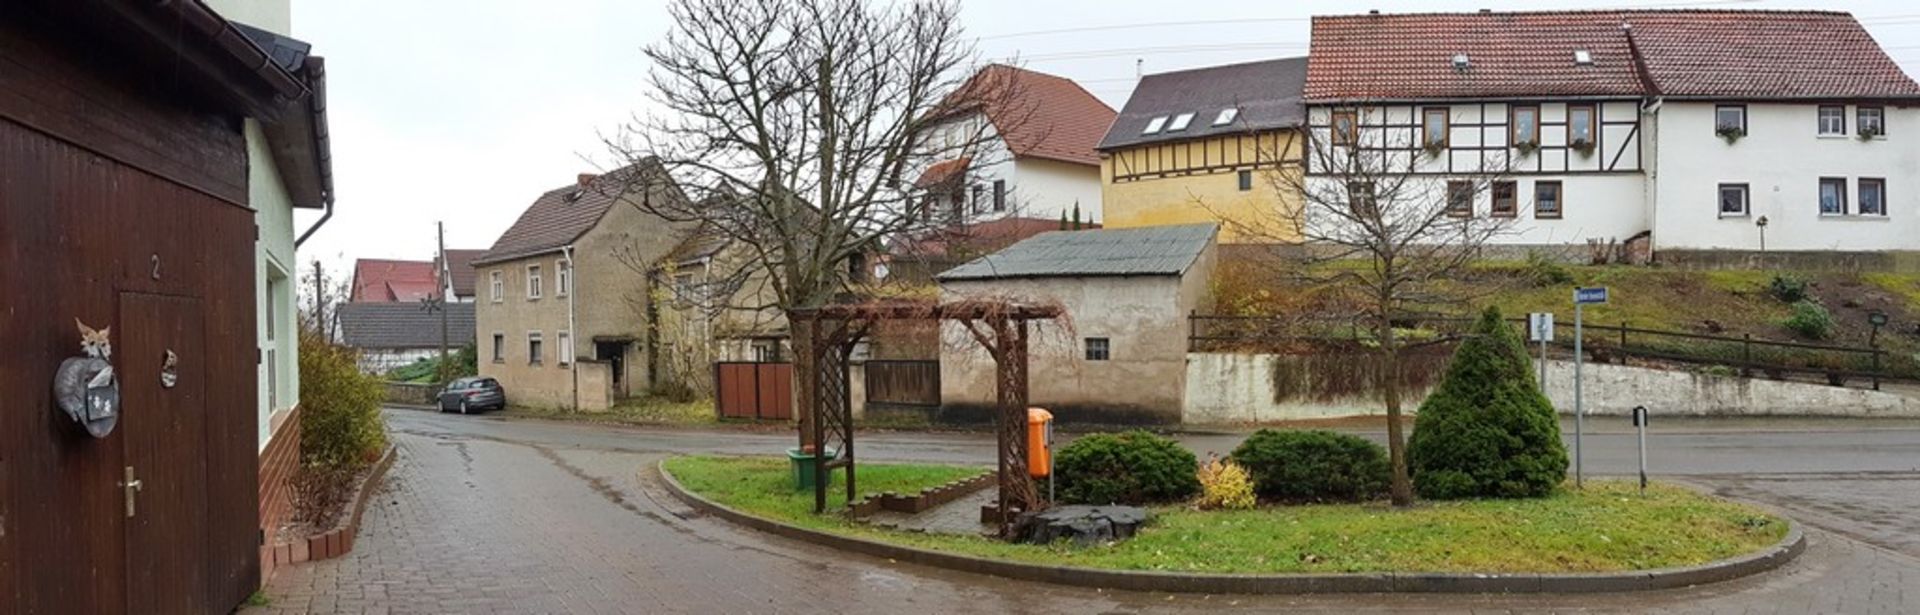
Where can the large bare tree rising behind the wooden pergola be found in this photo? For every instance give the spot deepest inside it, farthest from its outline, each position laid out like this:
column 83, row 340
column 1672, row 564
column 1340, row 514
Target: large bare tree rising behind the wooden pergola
column 796, row 128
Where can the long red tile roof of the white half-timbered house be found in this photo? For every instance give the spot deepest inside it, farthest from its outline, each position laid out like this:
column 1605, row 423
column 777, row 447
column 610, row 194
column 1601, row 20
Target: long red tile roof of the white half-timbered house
column 1681, row 53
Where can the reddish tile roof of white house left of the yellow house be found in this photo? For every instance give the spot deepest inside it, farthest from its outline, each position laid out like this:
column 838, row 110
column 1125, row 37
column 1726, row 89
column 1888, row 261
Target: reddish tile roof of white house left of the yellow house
column 1038, row 114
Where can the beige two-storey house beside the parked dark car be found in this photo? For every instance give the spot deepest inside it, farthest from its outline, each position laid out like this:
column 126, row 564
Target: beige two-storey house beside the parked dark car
column 564, row 314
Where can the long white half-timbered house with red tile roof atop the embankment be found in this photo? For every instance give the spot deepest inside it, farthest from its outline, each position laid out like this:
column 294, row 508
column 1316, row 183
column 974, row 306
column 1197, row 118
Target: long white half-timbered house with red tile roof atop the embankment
column 1689, row 132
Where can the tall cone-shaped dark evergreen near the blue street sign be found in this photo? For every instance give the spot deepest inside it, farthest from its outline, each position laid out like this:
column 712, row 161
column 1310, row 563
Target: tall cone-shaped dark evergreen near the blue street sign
column 1487, row 431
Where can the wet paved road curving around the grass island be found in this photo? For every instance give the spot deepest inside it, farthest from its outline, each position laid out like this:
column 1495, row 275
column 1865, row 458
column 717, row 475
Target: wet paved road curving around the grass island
column 487, row 516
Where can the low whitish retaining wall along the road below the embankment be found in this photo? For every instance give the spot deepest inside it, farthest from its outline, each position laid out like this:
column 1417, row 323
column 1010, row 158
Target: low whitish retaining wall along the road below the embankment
column 1243, row 389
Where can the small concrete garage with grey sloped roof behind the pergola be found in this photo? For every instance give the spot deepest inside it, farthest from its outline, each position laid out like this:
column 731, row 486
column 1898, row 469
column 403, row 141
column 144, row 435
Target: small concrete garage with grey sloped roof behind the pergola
column 1120, row 355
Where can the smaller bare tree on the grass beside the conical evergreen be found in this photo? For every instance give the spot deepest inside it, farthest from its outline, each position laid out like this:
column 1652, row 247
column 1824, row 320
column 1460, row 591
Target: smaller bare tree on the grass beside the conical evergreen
column 1389, row 222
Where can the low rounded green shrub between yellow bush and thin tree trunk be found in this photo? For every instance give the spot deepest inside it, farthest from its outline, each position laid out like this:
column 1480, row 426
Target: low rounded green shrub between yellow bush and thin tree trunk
column 1318, row 466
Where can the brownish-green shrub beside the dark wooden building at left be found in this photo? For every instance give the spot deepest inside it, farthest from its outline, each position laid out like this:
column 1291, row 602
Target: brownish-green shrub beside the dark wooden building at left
column 339, row 406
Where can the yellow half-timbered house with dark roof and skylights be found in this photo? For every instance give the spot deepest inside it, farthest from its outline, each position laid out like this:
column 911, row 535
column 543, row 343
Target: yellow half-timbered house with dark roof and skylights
column 1205, row 145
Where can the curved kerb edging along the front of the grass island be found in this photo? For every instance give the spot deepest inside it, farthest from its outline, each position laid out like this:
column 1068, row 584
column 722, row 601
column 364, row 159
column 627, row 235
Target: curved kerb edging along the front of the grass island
column 1201, row 583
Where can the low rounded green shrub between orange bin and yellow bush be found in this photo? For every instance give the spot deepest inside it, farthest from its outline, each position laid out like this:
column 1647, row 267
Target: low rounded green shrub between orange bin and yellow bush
column 1130, row 468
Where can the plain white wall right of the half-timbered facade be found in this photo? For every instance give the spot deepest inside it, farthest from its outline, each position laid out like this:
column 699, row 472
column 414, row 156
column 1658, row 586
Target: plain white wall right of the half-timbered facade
column 1783, row 160
